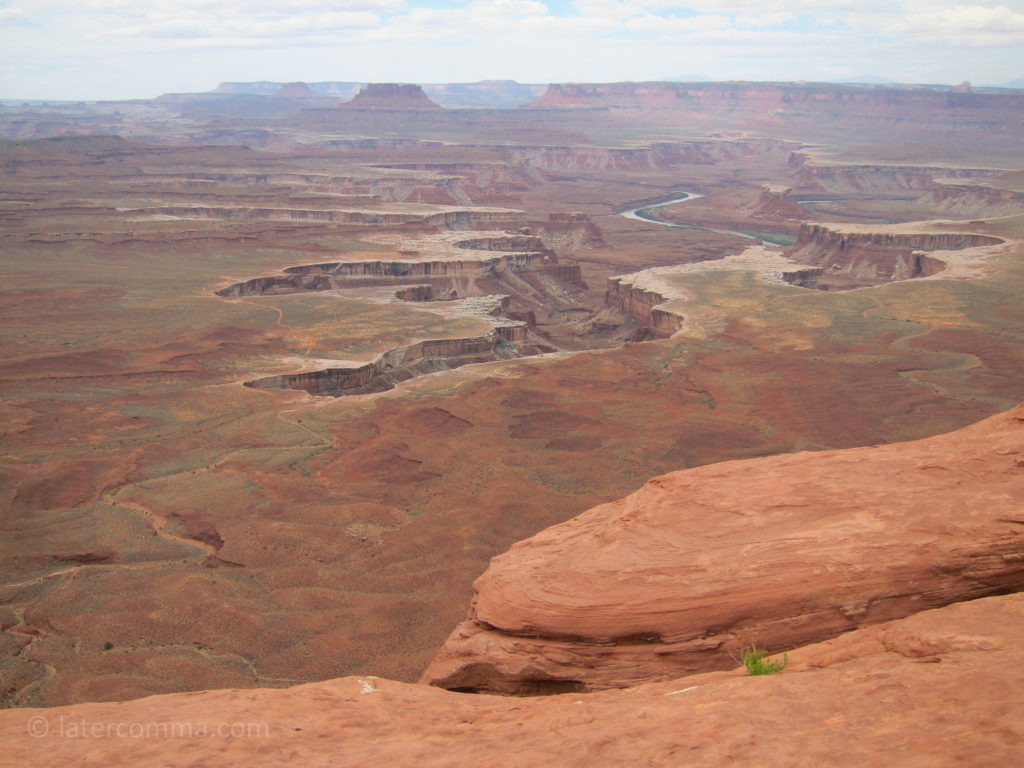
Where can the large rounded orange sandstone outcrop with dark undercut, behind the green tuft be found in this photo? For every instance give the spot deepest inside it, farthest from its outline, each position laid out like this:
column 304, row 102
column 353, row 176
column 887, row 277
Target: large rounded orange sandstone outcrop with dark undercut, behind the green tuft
column 785, row 551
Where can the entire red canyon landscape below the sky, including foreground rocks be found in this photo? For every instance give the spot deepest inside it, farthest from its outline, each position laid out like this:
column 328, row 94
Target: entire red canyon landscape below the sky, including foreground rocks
column 314, row 393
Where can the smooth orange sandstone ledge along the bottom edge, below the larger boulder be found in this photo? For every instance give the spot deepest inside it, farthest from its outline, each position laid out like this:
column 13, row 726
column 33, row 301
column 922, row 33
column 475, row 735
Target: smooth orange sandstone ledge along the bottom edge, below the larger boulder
column 940, row 689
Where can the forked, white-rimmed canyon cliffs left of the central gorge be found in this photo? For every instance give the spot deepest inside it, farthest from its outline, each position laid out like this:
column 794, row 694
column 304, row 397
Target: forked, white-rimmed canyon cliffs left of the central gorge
column 523, row 279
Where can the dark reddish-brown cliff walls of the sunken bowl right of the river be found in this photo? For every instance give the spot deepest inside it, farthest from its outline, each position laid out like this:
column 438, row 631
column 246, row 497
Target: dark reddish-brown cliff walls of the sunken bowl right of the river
column 852, row 259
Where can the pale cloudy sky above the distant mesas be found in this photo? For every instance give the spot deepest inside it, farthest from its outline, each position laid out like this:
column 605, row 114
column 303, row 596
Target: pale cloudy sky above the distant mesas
column 114, row 50
